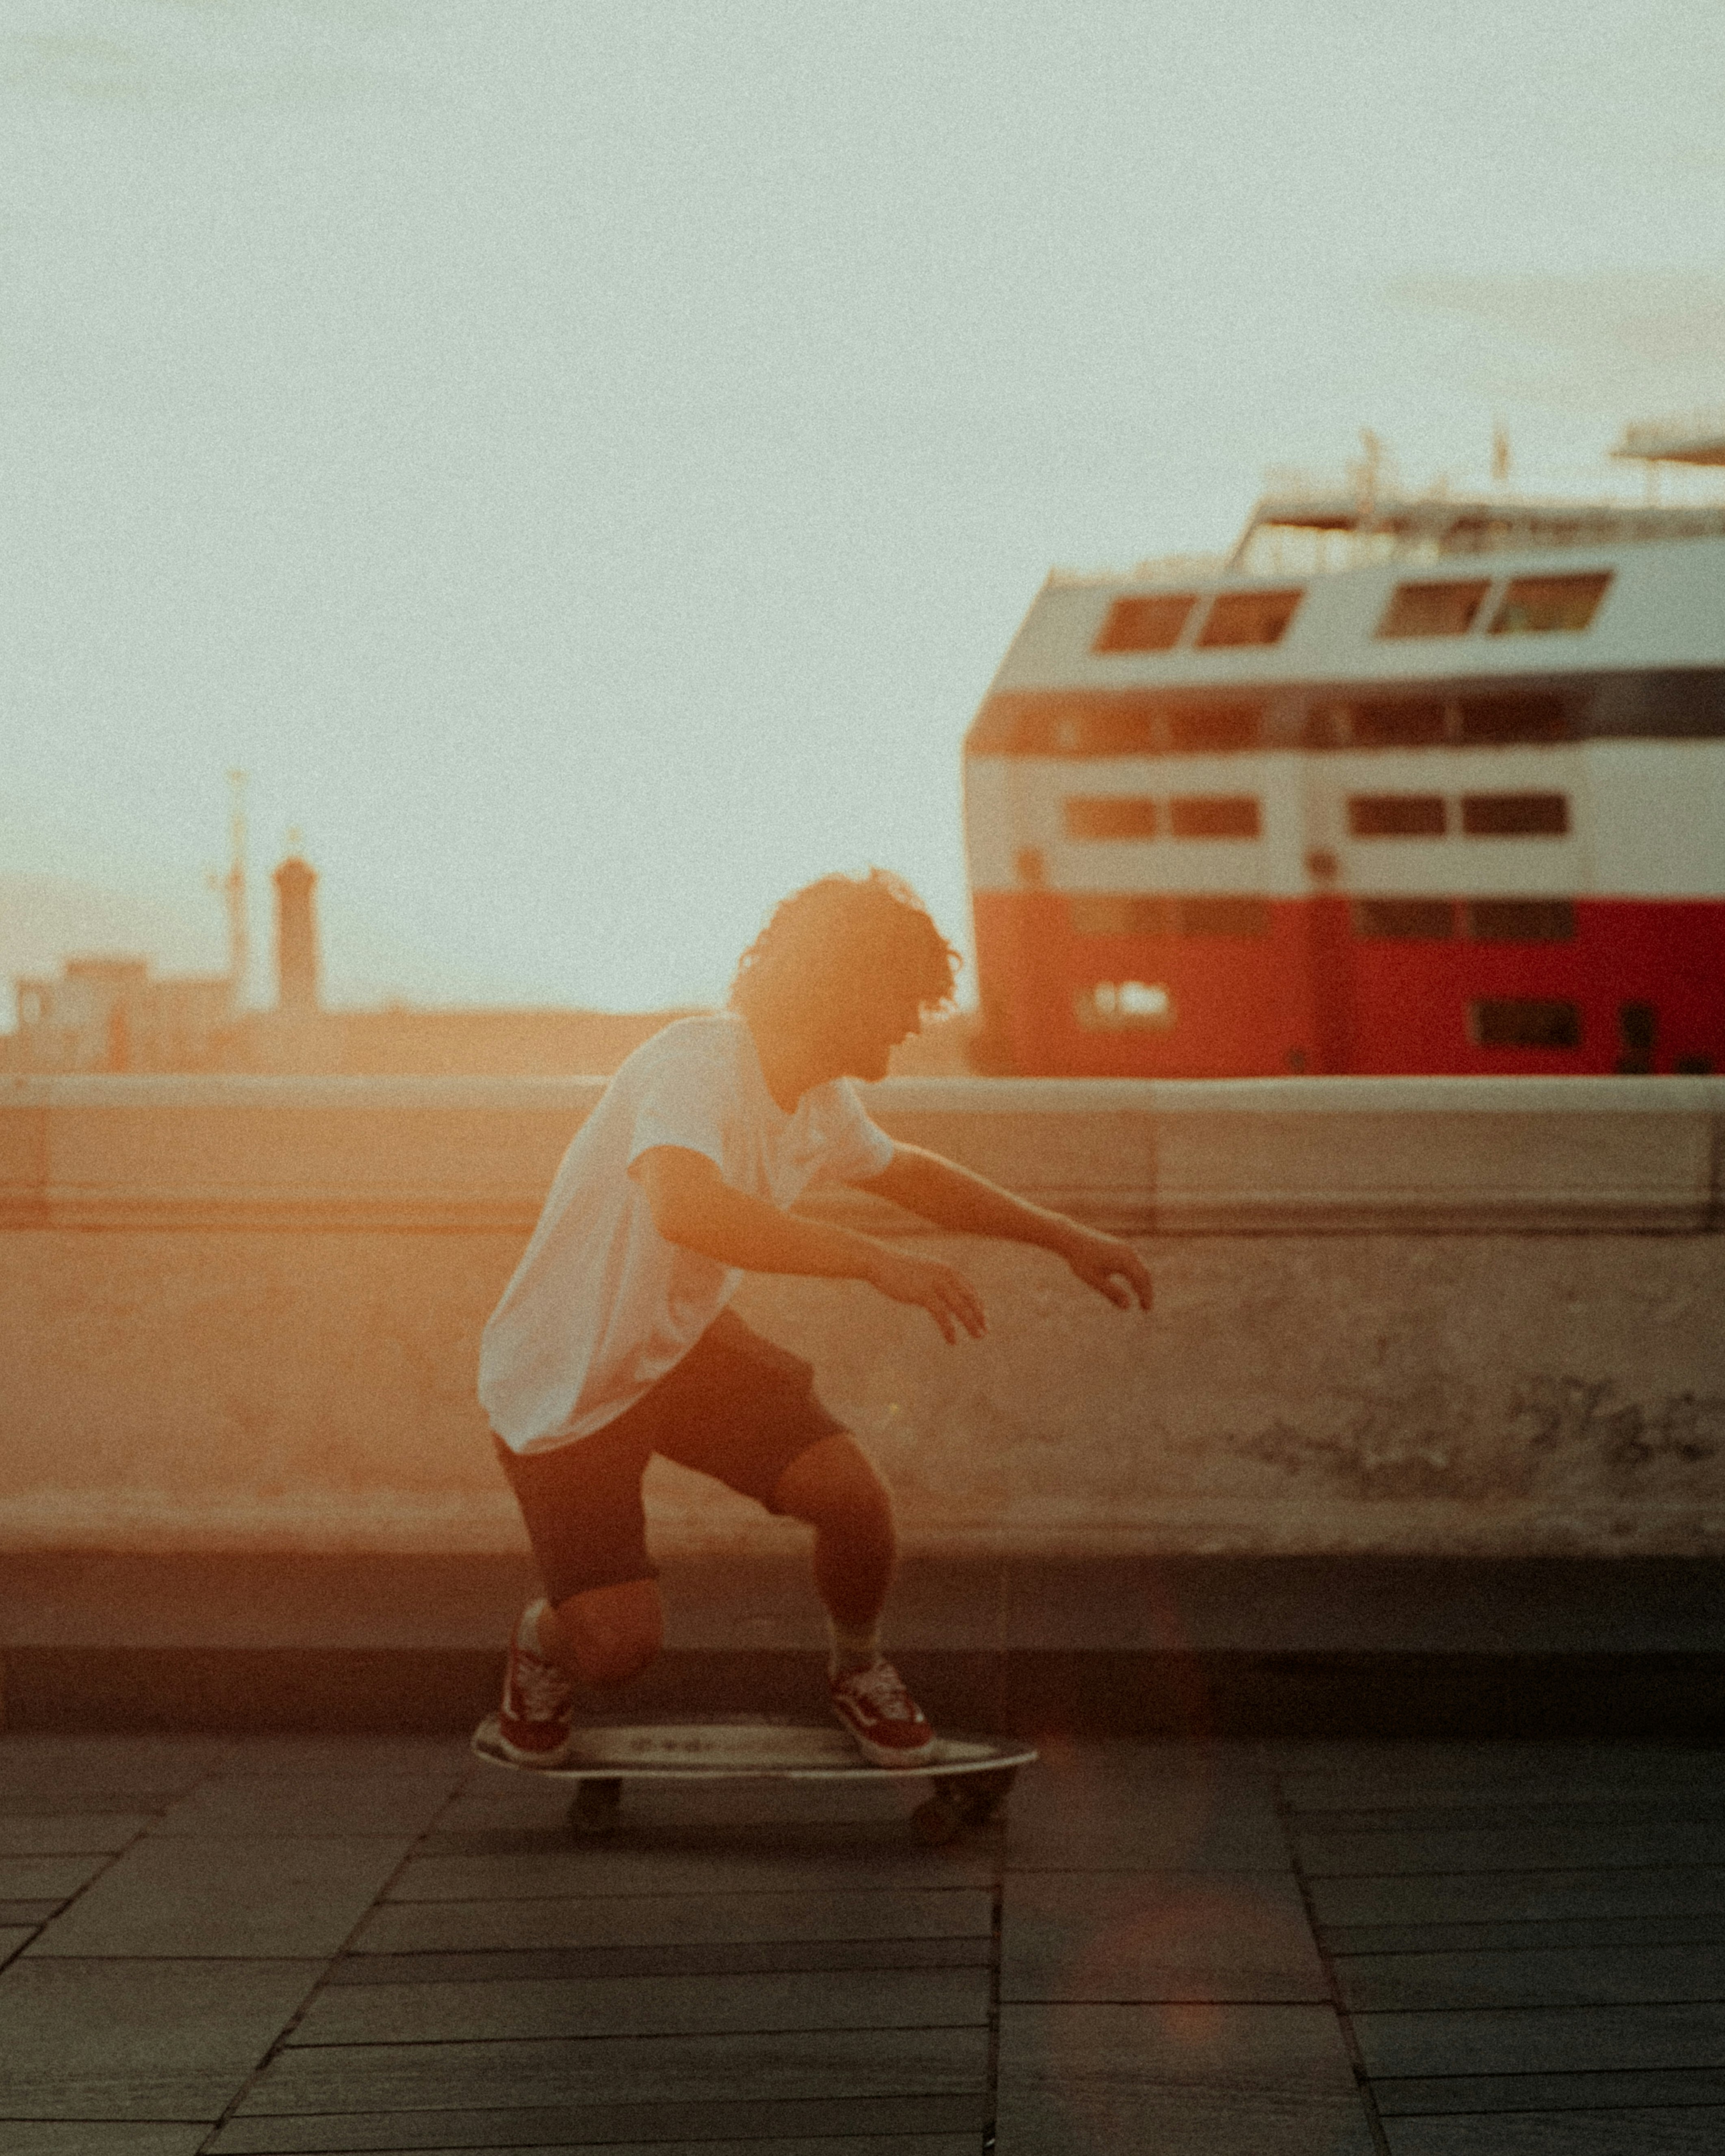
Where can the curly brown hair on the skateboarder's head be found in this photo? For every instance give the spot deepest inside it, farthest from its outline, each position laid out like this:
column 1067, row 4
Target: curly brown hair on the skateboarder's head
column 840, row 937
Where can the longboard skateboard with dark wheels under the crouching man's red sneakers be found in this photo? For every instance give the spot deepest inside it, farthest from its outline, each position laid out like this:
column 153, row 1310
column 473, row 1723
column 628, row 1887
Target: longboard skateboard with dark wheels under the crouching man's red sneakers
column 969, row 1778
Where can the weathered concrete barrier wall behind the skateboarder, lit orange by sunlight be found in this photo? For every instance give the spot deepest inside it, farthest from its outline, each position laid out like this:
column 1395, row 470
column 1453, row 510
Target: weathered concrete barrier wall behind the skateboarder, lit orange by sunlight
column 1394, row 1316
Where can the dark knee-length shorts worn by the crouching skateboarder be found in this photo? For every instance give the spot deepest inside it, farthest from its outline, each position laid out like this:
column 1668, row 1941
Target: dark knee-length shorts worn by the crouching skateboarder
column 736, row 1409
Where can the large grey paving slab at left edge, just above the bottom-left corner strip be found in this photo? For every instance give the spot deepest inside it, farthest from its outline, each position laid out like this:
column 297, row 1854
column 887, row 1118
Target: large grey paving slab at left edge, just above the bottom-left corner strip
column 137, row 2041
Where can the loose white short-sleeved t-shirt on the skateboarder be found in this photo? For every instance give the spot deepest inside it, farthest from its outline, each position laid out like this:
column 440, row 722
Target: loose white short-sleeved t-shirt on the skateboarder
column 603, row 1305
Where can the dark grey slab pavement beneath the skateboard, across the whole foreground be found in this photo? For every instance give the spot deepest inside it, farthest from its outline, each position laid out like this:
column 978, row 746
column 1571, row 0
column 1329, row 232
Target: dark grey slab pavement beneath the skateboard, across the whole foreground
column 1310, row 1950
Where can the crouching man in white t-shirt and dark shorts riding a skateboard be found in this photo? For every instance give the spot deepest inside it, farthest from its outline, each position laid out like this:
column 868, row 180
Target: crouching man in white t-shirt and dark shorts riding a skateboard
column 616, row 1340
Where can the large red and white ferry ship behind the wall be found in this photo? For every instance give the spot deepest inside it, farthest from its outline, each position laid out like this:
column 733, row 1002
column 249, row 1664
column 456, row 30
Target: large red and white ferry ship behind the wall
column 1450, row 801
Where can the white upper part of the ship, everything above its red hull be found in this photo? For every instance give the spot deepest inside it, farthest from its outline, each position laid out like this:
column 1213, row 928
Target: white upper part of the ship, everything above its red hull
column 1454, row 669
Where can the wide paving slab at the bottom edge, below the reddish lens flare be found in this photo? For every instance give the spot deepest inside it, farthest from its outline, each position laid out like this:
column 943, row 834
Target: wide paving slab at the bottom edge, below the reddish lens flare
column 1181, row 2082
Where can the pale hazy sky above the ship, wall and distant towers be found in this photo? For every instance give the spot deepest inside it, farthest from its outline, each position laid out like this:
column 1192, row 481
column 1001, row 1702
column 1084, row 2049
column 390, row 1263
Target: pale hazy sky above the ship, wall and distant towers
column 588, row 462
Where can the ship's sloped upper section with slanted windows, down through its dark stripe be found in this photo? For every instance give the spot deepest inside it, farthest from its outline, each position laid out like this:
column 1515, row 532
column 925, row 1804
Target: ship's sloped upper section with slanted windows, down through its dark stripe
column 1398, row 596
